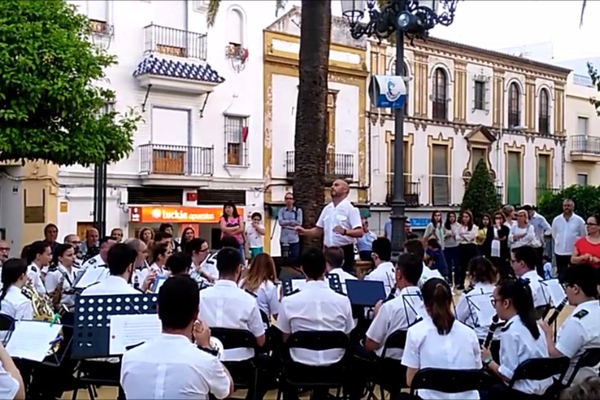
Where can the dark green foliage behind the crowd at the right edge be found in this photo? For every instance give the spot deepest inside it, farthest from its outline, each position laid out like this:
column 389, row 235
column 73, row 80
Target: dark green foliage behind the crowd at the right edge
column 586, row 199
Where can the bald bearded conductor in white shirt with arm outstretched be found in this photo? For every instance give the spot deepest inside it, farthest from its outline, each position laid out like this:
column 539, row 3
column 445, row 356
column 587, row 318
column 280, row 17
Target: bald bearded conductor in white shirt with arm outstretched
column 339, row 223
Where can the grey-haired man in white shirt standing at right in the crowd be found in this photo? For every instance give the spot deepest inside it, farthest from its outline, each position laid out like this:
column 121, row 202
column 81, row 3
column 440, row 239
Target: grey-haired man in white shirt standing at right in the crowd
column 566, row 229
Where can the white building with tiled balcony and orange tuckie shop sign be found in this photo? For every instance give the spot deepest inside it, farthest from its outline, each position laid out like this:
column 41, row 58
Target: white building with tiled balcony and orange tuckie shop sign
column 198, row 90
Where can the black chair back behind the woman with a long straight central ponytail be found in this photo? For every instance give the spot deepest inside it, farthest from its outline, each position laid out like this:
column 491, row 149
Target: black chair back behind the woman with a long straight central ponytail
column 450, row 380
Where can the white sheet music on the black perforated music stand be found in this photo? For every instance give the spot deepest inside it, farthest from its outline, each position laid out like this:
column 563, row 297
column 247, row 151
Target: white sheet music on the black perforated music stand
column 127, row 330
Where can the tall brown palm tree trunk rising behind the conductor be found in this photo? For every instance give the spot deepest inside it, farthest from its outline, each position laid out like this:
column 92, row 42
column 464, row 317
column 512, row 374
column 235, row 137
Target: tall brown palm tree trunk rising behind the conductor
column 309, row 143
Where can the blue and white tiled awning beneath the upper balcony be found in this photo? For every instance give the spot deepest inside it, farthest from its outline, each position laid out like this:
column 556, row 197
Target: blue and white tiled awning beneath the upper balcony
column 196, row 71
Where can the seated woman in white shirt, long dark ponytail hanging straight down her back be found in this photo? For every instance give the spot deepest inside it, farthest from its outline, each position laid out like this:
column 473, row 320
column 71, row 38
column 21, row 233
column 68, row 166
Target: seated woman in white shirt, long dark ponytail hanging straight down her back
column 440, row 341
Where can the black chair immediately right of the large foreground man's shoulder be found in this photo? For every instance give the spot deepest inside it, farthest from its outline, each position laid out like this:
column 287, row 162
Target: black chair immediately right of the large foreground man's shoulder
column 244, row 373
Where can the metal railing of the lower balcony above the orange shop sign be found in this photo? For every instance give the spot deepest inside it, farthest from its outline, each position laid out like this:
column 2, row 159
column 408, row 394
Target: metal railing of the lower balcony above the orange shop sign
column 164, row 159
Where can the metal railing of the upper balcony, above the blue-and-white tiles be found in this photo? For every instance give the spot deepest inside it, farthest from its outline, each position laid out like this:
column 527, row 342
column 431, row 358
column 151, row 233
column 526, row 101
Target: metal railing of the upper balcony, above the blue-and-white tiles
column 175, row 42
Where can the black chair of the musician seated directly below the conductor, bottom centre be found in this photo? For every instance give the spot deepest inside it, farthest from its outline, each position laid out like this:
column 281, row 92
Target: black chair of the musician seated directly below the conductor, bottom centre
column 297, row 375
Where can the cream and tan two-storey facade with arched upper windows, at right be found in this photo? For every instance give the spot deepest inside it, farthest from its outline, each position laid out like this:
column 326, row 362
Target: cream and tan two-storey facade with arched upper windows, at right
column 465, row 104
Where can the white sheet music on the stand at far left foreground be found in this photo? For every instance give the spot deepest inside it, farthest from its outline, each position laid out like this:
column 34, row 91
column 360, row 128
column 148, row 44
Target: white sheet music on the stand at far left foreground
column 31, row 340
